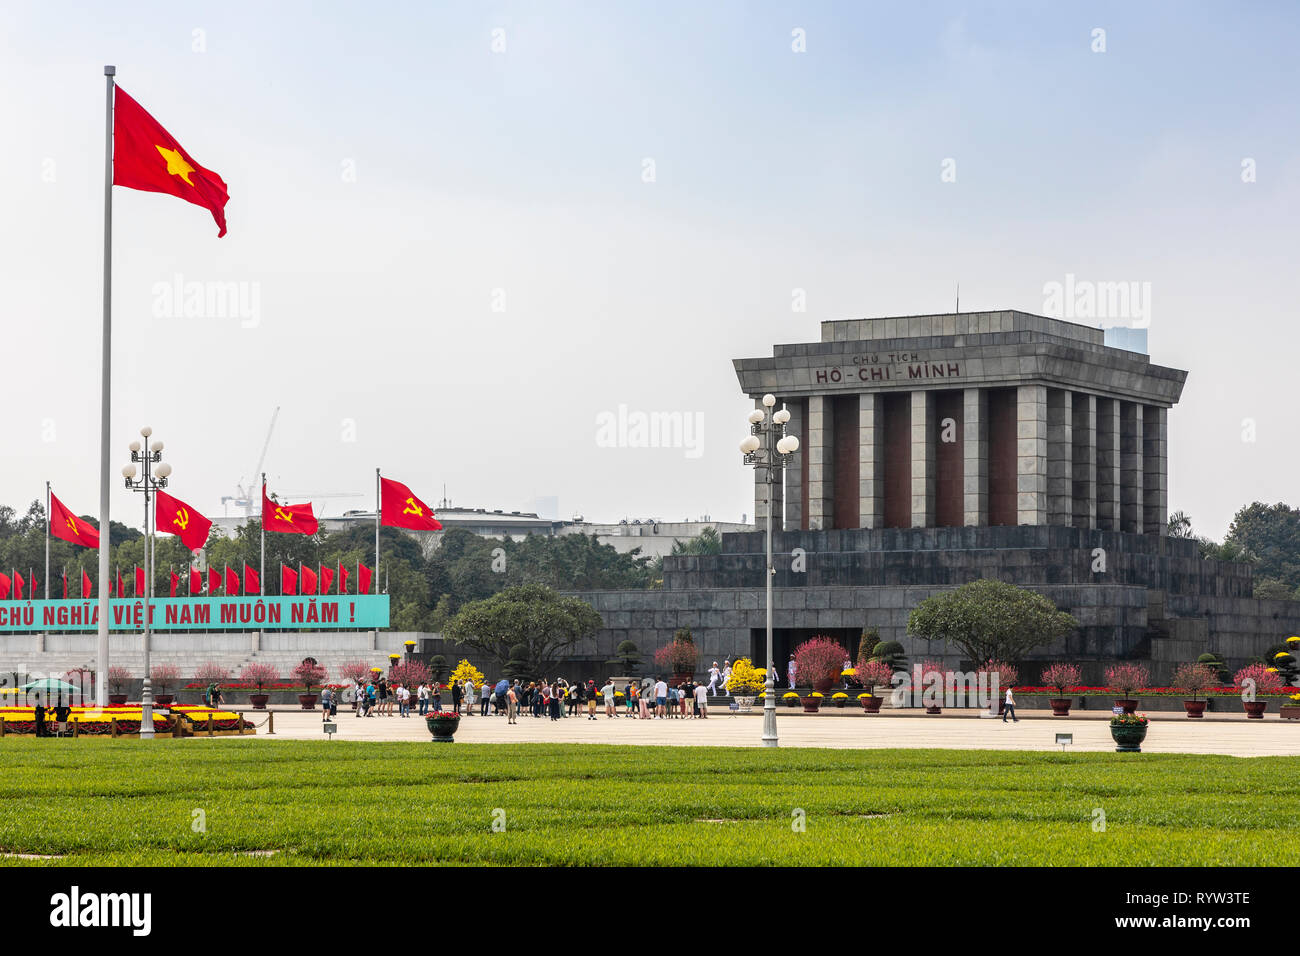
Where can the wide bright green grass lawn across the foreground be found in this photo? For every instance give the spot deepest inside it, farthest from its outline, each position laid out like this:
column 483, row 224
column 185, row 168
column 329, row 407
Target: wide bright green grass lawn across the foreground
column 112, row 803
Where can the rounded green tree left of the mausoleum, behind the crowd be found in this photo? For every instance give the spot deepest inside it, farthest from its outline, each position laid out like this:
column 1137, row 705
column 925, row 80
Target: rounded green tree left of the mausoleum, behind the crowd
column 532, row 616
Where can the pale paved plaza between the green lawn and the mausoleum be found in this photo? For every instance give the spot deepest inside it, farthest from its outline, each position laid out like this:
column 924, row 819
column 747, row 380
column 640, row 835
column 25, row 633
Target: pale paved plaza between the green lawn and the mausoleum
column 1230, row 734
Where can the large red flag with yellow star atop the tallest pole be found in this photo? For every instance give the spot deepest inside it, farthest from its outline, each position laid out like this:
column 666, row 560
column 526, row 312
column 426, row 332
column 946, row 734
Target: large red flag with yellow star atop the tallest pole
column 148, row 158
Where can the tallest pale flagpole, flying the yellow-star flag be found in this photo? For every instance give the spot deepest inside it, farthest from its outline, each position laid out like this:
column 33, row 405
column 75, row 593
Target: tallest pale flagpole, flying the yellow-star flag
column 106, row 392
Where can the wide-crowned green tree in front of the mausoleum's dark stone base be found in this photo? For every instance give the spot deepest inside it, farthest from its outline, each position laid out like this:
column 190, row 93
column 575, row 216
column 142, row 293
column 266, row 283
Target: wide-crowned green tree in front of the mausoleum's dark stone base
column 990, row 620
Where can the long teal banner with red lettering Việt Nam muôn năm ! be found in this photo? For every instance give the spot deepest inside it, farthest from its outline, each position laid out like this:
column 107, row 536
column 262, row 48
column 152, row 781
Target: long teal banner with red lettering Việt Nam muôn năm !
column 315, row 613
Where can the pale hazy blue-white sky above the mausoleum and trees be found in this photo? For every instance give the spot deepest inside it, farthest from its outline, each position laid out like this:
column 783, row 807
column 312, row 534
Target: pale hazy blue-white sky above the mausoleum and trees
column 460, row 266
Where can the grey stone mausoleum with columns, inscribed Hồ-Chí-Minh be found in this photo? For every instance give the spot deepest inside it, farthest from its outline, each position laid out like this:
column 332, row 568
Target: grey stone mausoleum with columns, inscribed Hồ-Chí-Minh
column 937, row 451
